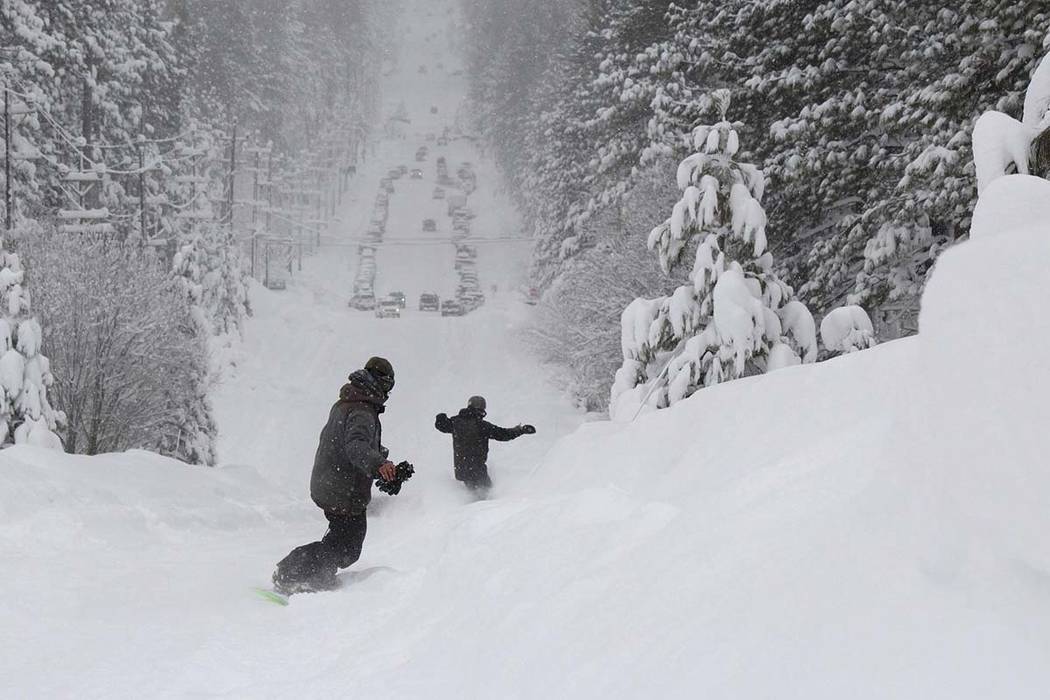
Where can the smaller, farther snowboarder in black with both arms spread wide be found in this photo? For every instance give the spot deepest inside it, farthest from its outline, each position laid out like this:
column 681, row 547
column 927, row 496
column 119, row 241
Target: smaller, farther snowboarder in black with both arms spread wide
column 471, row 435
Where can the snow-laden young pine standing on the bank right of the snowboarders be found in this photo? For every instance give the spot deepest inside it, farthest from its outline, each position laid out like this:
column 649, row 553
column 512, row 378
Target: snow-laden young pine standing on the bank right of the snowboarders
column 737, row 316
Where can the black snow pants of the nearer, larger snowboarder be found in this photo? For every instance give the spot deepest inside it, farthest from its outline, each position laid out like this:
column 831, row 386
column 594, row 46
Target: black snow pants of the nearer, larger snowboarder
column 340, row 548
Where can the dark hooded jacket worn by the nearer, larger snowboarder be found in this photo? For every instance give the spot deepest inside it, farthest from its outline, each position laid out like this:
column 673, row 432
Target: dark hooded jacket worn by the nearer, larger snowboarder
column 351, row 451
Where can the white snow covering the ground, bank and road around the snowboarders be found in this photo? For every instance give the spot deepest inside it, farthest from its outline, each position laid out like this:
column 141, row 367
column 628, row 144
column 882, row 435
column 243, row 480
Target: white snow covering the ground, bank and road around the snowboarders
column 870, row 527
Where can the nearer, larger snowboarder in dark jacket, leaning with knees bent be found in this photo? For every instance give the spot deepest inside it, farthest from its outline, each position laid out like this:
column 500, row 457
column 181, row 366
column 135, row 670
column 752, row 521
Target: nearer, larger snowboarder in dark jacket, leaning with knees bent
column 350, row 457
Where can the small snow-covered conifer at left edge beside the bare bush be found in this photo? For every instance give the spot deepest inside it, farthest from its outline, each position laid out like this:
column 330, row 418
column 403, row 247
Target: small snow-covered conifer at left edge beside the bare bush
column 26, row 414
